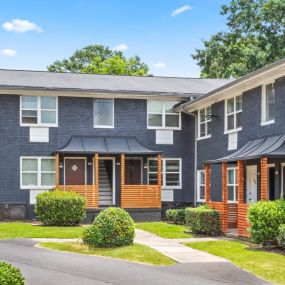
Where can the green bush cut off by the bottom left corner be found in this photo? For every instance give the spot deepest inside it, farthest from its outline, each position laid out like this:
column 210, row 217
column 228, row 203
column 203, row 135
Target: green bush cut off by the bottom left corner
column 10, row 275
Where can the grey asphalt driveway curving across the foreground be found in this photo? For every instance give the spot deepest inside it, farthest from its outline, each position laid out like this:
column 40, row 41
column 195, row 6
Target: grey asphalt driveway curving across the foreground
column 45, row 267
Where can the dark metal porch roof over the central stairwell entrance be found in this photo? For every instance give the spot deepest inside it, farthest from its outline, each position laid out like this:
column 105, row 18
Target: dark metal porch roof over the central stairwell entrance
column 105, row 145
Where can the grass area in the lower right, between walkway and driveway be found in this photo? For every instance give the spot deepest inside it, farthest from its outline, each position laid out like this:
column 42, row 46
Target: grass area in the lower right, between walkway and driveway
column 267, row 265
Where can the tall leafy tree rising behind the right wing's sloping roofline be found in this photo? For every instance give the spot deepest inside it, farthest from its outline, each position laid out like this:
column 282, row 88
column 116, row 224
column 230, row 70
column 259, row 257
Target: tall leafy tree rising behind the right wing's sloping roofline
column 255, row 37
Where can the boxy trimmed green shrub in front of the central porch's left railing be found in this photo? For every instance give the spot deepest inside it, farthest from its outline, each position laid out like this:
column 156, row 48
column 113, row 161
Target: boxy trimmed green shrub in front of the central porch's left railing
column 59, row 208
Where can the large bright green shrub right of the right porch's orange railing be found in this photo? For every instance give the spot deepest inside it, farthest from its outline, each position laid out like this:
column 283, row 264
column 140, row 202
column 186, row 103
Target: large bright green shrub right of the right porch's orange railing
column 265, row 217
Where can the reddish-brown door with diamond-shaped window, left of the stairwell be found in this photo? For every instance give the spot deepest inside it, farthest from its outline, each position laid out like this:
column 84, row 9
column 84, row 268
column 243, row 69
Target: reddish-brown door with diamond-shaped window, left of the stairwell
column 74, row 171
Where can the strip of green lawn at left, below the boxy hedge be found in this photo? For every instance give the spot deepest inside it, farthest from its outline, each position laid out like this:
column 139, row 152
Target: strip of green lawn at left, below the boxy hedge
column 27, row 230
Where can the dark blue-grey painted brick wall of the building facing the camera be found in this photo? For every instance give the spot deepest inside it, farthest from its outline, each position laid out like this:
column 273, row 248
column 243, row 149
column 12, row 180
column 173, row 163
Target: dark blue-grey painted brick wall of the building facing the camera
column 75, row 117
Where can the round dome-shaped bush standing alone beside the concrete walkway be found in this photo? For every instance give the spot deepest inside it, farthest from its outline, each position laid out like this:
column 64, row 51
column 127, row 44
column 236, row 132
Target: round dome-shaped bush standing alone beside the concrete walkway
column 112, row 227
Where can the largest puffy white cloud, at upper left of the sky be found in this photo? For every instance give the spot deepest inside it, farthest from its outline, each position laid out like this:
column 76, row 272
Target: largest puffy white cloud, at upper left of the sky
column 21, row 26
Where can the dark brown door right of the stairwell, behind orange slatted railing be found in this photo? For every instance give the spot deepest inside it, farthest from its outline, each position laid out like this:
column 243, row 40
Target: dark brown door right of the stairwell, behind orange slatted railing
column 133, row 171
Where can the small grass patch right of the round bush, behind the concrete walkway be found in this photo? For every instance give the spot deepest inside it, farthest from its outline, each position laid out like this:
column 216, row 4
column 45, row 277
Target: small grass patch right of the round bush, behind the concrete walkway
column 165, row 230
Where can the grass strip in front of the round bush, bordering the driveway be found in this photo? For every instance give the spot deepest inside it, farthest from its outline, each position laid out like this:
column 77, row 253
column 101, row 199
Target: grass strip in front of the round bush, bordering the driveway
column 135, row 253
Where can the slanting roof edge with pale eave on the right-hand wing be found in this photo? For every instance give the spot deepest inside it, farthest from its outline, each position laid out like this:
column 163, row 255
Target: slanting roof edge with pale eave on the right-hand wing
column 234, row 83
